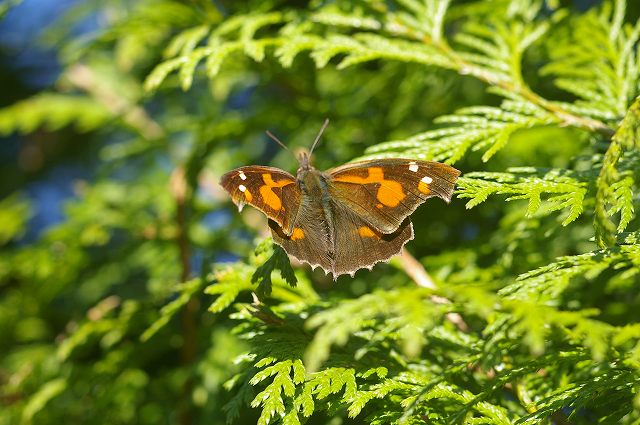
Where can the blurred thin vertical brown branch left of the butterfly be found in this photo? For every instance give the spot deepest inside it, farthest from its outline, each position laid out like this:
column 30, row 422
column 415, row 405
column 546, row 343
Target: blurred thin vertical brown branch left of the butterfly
column 179, row 190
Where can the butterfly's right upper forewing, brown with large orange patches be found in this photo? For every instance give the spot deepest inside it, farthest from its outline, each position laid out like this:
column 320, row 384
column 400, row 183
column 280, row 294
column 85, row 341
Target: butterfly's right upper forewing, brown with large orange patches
column 385, row 192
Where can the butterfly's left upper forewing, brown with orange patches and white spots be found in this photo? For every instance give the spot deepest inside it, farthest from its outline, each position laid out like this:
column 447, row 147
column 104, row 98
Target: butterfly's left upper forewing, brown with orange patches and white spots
column 271, row 190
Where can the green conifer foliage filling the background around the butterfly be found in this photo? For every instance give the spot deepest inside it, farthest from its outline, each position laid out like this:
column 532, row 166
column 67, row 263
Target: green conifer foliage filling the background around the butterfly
column 154, row 301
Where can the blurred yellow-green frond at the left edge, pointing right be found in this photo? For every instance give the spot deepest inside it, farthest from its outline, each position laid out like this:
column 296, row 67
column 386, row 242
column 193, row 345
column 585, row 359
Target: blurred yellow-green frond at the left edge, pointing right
column 53, row 112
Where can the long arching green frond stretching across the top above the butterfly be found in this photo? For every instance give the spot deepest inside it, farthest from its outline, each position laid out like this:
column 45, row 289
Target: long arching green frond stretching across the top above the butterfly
column 493, row 54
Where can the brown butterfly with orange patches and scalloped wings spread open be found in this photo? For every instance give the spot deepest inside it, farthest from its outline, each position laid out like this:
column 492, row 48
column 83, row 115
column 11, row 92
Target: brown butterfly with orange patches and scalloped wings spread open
column 344, row 219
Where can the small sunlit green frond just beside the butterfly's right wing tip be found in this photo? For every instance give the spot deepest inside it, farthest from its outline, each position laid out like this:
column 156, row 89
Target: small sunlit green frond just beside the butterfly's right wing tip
column 562, row 190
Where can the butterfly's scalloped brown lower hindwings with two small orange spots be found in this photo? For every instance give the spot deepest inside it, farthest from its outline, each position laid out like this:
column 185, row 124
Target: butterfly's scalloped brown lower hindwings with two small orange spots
column 343, row 246
